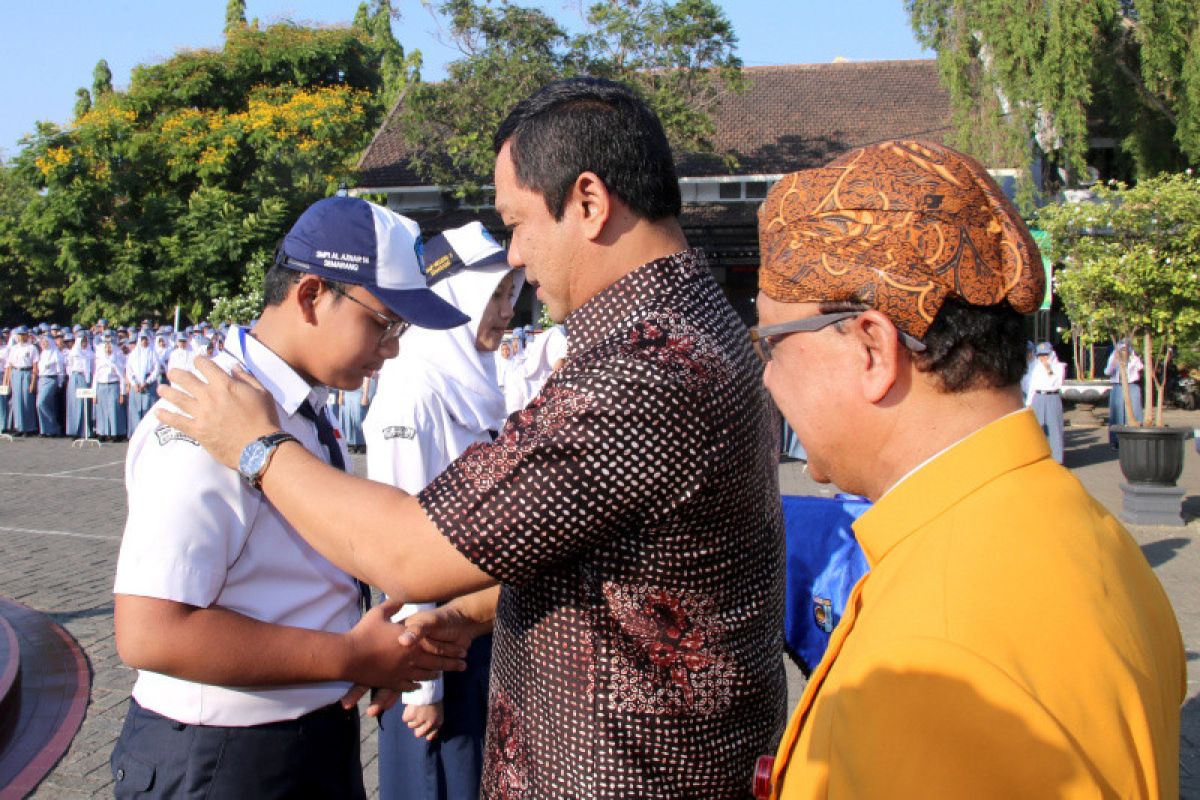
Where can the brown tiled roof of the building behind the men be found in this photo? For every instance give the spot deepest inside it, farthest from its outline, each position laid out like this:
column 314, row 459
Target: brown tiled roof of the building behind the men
column 790, row 118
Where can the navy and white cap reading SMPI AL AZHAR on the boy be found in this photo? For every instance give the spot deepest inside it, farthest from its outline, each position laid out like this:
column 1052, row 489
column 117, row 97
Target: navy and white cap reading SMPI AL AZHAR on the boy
column 349, row 240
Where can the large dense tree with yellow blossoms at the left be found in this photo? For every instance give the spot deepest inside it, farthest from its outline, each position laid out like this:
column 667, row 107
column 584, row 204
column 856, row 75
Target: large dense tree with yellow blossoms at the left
column 177, row 190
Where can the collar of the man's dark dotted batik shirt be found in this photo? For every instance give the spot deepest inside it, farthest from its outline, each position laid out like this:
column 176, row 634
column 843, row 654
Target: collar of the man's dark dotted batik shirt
column 614, row 309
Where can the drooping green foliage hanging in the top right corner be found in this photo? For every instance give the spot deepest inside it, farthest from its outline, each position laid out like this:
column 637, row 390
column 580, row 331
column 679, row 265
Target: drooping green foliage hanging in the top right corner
column 1053, row 74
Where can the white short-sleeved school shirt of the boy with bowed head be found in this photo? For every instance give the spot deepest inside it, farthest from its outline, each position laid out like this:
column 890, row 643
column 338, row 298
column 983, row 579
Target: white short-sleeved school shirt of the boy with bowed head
column 197, row 534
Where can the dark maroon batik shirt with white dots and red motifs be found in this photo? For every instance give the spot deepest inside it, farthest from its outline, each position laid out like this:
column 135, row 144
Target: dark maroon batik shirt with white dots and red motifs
column 632, row 514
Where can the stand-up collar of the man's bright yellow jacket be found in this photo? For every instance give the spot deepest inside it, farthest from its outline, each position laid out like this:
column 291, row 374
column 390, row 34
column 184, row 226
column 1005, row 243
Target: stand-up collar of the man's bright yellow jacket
column 1010, row 443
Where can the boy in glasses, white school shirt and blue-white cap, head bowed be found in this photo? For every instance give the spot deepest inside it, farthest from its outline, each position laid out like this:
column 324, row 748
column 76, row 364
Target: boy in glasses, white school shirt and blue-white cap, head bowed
column 249, row 642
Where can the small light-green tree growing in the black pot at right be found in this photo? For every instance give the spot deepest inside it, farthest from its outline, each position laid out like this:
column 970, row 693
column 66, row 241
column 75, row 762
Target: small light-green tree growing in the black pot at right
column 1131, row 269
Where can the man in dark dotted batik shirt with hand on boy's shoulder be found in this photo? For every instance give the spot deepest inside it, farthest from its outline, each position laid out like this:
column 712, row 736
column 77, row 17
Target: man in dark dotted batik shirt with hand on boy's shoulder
column 631, row 513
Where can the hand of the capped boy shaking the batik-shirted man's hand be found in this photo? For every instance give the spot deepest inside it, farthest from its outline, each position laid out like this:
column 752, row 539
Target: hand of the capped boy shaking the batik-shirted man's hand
column 380, row 657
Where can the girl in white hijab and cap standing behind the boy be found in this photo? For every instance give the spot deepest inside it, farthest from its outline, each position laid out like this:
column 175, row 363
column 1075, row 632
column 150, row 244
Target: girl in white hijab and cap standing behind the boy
column 436, row 399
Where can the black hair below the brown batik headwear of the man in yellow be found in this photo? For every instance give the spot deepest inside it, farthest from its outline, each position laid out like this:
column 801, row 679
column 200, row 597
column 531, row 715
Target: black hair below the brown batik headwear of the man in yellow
column 968, row 347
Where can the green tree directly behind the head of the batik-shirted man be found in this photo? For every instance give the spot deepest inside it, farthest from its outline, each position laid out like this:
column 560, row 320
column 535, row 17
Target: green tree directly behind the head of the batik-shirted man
column 680, row 56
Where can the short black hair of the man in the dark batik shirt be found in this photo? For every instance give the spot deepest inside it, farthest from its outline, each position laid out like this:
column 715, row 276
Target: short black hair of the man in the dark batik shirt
column 593, row 125
